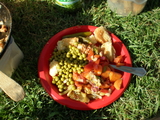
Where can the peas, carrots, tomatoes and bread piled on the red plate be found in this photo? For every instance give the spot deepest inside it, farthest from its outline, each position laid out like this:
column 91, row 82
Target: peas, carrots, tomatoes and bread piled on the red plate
column 80, row 67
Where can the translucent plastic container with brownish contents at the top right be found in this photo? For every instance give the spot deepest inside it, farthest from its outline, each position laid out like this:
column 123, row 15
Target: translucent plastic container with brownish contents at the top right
column 126, row 7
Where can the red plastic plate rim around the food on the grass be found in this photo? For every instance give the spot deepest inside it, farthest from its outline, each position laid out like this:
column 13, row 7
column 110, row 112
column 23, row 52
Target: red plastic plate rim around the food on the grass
column 45, row 78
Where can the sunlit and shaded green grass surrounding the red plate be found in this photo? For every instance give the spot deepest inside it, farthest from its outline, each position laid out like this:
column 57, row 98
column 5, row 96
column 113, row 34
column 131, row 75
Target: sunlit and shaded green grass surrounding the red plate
column 36, row 21
